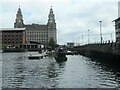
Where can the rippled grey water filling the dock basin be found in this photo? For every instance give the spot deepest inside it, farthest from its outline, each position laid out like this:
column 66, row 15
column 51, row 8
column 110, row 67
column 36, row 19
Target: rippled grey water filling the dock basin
column 77, row 72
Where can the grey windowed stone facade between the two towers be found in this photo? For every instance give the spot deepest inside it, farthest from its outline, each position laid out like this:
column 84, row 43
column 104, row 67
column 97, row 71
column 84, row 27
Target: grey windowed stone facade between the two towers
column 36, row 33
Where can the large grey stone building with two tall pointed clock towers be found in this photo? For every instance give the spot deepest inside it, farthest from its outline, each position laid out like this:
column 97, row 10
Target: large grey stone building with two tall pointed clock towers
column 35, row 32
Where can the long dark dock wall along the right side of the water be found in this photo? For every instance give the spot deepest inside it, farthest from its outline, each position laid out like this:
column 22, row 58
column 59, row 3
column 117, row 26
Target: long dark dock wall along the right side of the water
column 106, row 53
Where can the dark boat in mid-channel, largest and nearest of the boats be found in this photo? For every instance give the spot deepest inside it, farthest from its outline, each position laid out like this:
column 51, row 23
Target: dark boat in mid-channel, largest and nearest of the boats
column 60, row 55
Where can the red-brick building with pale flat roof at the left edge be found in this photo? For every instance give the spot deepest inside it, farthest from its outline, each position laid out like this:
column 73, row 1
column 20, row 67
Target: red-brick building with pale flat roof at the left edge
column 12, row 37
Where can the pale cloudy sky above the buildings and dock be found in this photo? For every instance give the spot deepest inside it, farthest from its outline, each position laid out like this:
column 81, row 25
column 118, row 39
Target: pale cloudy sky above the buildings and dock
column 76, row 20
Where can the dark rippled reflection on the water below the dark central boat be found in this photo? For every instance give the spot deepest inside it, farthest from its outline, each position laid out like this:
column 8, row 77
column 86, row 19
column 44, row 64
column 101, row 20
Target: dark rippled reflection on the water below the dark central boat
column 55, row 70
